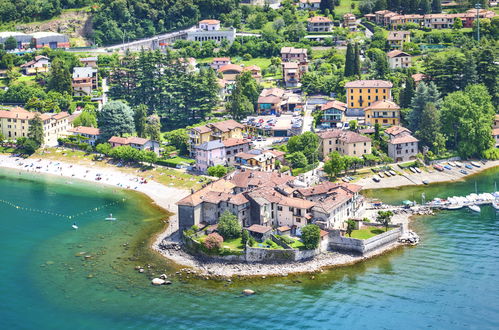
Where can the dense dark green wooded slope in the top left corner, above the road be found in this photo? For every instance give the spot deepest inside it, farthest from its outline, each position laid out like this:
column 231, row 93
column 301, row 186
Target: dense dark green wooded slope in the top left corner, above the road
column 115, row 19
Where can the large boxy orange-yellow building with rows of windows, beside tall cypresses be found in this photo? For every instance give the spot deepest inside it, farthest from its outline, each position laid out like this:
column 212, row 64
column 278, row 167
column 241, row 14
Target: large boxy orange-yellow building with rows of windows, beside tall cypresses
column 362, row 93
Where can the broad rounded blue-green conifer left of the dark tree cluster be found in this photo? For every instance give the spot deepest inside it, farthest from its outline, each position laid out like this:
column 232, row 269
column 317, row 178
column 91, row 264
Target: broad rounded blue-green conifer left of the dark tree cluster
column 115, row 119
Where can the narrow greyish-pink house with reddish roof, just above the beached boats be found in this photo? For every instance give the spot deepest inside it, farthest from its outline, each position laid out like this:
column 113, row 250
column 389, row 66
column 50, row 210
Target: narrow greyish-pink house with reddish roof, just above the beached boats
column 402, row 146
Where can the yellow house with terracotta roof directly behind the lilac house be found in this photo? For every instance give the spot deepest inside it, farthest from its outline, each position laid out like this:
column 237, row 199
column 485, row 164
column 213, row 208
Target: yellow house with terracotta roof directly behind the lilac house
column 221, row 130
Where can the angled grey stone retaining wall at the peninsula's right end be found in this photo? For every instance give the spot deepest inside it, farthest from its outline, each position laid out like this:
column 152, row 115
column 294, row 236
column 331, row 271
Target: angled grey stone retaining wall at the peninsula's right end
column 363, row 246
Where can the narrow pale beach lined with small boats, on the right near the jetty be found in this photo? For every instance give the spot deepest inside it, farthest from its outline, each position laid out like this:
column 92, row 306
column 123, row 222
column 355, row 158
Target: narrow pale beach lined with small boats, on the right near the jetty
column 431, row 175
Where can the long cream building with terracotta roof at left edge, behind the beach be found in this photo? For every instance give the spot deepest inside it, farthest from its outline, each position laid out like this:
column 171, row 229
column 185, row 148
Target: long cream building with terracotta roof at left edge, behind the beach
column 14, row 124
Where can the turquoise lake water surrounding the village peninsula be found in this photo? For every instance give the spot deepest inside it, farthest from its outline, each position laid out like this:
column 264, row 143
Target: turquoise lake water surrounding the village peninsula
column 449, row 281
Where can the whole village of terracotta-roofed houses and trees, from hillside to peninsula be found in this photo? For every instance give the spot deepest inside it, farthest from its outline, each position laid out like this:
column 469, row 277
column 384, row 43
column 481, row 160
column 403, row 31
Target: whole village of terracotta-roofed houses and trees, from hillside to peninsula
column 283, row 112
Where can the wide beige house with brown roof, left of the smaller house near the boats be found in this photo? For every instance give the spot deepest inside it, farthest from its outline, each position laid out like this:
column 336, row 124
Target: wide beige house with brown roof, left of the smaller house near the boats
column 345, row 142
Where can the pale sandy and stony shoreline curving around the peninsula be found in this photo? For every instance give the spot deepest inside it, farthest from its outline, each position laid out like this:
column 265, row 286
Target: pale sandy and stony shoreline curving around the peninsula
column 166, row 197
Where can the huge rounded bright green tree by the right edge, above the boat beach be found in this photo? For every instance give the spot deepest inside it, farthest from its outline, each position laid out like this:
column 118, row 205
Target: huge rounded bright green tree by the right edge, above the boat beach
column 467, row 120
